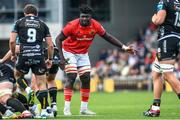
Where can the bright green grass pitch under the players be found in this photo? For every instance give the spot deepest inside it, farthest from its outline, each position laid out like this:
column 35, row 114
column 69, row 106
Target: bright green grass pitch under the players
column 121, row 105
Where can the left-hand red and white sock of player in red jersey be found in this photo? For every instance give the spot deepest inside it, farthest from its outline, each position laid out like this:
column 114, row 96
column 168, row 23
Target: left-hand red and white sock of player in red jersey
column 67, row 97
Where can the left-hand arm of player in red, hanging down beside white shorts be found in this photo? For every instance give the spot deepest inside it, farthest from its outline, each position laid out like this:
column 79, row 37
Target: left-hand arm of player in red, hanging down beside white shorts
column 59, row 39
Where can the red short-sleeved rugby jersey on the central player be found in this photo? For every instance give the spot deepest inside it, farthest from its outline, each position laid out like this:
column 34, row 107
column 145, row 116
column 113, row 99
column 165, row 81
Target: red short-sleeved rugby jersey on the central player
column 80, row 38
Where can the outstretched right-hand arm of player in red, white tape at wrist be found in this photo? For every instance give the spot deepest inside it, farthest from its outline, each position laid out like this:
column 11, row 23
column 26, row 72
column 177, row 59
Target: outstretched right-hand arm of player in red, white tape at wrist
column 111, row 39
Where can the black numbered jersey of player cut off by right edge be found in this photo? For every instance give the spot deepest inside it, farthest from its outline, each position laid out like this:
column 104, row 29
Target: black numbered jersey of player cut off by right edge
column 172, row 20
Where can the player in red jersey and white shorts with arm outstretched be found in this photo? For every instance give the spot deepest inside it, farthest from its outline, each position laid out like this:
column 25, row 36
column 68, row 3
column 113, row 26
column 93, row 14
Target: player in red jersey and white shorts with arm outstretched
column 73, row 43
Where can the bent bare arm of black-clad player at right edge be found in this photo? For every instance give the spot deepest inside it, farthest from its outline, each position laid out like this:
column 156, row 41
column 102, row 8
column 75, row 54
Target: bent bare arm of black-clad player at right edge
column 159, row 17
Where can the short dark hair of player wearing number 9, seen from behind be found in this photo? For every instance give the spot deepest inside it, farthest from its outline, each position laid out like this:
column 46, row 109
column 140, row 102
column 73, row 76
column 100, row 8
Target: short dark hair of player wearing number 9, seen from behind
column 30, row 9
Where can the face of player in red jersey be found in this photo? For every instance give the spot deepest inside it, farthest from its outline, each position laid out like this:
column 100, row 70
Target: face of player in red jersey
column 85, row 19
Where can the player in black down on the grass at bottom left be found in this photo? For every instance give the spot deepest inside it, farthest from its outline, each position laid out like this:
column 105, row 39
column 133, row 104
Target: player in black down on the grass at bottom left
column 6, row 88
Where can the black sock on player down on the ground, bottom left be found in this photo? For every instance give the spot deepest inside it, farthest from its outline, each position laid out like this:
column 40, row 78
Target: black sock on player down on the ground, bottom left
column 16, row 104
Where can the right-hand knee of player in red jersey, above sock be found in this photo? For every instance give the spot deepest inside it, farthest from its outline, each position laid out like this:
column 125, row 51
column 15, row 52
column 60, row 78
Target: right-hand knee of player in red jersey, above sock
column 85, row 80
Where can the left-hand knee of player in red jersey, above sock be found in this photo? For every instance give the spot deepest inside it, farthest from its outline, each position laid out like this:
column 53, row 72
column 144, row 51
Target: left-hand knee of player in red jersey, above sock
column 71, row 77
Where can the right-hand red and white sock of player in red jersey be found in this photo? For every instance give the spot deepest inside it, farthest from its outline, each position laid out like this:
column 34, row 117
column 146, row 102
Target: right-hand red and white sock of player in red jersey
column 84, row 98
